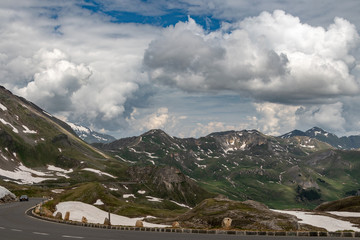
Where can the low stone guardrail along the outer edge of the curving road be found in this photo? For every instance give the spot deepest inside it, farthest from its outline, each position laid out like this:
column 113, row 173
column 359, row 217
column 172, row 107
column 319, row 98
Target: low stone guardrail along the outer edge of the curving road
column 203, row 231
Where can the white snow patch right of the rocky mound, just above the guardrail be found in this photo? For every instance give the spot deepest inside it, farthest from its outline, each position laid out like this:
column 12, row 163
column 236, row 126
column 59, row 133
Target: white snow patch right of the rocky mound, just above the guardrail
column 329, row 223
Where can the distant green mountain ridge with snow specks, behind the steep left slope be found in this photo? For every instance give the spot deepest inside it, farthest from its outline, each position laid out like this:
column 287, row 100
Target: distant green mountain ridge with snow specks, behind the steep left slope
column 289, row 172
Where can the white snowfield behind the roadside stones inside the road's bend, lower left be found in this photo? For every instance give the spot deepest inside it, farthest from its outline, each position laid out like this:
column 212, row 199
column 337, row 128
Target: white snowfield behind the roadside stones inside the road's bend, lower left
column 95, row 215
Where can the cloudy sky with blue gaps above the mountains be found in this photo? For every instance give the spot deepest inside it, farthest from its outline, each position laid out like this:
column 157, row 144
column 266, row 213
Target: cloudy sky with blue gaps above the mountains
column 190, row 68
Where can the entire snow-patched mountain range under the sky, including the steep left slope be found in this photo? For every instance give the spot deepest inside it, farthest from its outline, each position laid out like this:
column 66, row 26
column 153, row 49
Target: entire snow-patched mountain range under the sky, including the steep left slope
column 298, row 169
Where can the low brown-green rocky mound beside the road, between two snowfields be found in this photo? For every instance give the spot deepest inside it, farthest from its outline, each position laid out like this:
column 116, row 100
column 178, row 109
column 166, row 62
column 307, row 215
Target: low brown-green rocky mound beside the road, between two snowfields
column 225, row 213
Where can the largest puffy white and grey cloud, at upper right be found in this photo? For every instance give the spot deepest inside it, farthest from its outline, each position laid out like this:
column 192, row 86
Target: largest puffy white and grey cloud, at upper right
column 272, row 57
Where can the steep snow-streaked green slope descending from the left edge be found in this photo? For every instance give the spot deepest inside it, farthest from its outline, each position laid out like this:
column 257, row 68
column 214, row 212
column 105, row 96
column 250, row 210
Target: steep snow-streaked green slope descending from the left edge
column 41, row 151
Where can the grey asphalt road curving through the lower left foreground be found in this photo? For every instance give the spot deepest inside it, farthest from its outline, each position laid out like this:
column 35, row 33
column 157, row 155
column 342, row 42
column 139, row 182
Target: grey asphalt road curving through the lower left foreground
column 16, row 225
